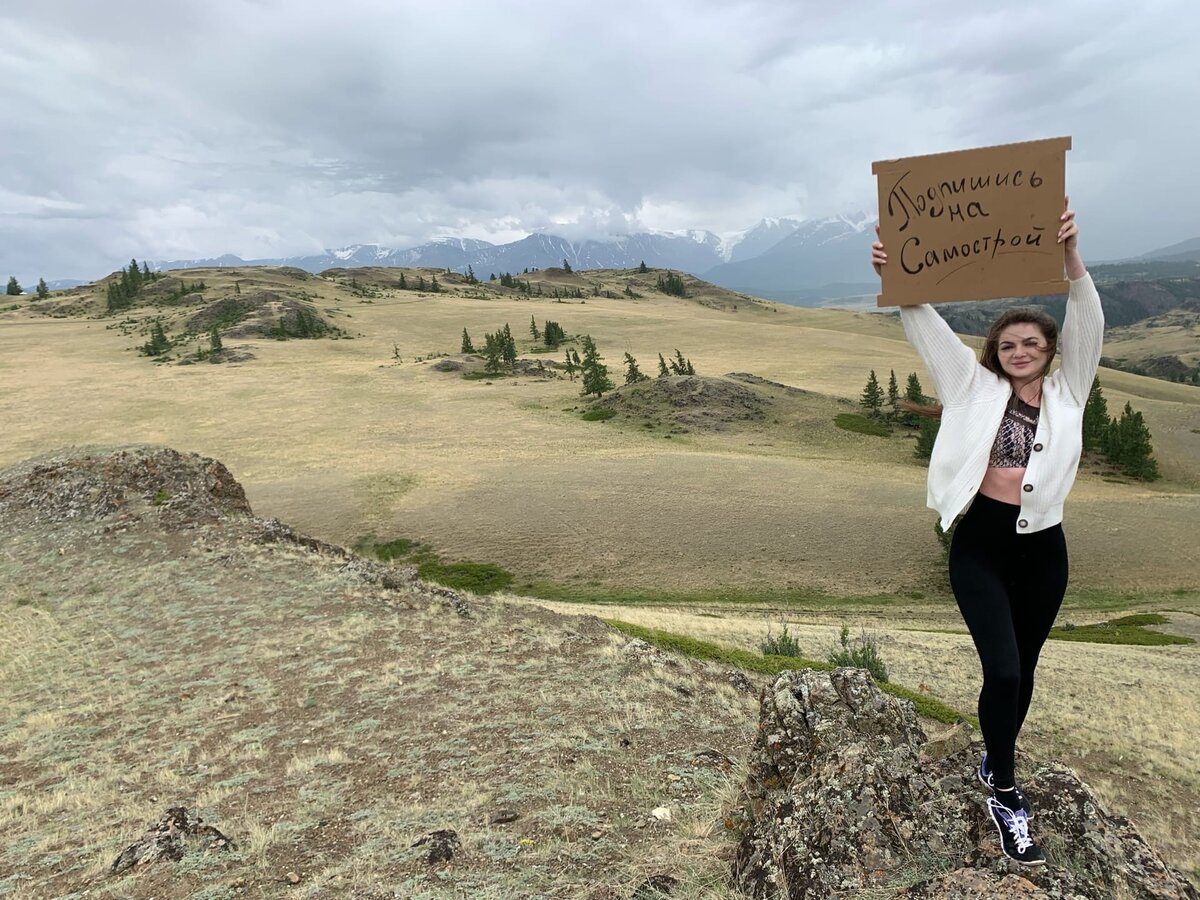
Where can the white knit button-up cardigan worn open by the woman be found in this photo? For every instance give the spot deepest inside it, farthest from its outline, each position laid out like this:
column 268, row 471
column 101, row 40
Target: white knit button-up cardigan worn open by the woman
column 974, row 401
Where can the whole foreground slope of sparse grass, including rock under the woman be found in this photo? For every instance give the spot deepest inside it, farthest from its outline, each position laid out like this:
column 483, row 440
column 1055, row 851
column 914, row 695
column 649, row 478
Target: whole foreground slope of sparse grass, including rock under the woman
column 345, row 724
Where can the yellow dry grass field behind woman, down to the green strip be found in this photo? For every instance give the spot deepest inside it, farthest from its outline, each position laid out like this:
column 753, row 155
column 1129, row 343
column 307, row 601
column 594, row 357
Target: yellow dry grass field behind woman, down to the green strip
column 334, row 439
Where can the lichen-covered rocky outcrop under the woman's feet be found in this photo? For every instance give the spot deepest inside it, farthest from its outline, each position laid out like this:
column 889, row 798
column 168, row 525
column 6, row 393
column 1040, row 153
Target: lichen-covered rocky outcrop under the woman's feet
column 841, row 800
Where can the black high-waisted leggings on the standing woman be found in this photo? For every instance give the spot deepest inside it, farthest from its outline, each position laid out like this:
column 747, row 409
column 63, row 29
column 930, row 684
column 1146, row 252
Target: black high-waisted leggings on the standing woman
column 1010, row 587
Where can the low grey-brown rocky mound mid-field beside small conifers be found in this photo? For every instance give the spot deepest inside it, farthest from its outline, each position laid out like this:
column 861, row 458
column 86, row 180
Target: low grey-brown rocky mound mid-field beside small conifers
column 687, row 403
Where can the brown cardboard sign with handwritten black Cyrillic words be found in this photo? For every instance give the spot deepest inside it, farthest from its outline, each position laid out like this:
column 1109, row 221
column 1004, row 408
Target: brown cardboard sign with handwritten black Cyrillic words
column 974, row 225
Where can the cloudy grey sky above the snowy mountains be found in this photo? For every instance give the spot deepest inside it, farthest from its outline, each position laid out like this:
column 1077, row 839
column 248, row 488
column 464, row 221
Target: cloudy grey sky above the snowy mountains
column 266, row 129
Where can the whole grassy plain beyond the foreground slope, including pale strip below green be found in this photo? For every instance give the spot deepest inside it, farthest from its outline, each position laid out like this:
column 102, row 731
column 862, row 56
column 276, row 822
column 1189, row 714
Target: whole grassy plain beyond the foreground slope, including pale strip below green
column 716, row 533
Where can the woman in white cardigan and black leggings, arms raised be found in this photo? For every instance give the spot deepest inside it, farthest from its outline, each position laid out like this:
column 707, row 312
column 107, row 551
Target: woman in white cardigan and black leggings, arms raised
column 1007, row 453
